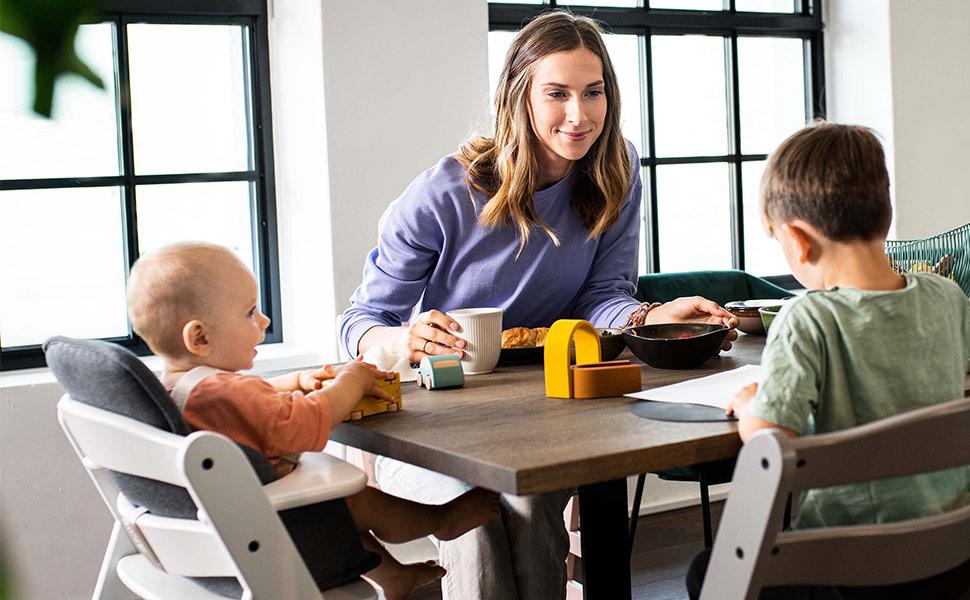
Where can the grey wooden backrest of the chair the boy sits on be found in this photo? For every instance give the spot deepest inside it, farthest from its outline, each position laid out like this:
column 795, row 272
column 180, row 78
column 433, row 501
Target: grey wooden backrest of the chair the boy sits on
column 751, row 551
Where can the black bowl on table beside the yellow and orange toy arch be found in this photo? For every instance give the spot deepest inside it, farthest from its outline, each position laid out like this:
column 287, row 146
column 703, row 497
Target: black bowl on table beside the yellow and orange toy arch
column 675, row 345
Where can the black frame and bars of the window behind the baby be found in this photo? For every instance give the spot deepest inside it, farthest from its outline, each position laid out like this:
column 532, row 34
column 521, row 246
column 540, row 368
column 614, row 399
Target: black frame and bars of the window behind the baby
column 252, row 14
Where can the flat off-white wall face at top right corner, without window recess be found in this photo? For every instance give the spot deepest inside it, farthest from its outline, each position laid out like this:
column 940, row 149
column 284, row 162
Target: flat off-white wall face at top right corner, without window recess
column 931, row 117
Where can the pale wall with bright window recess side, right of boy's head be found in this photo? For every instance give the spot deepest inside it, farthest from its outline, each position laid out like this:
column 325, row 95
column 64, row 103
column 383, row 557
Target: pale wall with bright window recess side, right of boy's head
column 903, row 68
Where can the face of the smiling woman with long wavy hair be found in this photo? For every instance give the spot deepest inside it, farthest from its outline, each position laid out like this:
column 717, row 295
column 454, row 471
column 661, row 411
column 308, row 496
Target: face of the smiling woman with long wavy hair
column 567, row 105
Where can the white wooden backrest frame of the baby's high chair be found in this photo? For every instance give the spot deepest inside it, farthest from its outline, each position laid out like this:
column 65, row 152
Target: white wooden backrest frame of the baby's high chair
column 236, row 534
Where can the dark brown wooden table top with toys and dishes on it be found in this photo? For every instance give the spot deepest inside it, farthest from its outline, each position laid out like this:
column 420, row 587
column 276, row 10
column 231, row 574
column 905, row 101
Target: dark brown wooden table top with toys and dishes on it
column 501, row 432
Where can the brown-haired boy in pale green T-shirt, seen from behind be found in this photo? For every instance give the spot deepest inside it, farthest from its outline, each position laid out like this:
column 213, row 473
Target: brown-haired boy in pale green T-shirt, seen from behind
column 864, row 343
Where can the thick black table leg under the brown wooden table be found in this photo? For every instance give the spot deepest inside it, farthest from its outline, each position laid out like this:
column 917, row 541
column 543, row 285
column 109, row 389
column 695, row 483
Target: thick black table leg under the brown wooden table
column 606, row 548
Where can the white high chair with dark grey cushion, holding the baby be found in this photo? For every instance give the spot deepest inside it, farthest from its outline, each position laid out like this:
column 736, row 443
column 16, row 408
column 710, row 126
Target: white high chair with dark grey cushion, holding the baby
column 198, row 517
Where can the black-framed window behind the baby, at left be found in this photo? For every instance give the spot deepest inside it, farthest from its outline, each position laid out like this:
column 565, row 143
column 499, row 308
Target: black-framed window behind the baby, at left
column 177, row 146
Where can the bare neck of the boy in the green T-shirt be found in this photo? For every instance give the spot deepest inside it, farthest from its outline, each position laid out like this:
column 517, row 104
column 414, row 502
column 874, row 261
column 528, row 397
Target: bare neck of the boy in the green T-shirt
column 862, row 265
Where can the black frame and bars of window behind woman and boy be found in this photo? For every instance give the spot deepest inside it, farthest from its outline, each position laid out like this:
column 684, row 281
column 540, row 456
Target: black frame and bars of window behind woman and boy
column 805, row 24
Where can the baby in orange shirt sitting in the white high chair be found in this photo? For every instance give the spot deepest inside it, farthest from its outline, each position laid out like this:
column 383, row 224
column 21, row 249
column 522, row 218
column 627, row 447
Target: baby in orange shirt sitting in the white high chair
column 195, row 305
